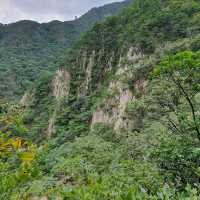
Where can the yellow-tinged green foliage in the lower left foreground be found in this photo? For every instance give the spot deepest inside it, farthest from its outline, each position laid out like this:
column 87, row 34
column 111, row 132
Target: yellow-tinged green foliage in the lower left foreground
column 17, row 156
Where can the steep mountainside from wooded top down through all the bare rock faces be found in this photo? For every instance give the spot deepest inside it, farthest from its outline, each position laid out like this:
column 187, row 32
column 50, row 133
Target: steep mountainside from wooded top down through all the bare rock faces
column 107, row 71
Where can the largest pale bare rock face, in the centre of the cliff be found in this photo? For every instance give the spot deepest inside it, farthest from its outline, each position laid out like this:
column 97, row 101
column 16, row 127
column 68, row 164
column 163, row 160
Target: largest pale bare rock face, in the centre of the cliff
column 114, row 110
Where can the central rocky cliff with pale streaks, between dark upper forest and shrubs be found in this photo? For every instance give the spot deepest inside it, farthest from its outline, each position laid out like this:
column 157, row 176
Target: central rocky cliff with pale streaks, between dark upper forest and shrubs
column 113, row 84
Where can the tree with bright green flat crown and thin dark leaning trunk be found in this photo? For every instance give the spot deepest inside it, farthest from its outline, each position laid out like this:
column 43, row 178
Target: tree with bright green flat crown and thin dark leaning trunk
column 182, row 73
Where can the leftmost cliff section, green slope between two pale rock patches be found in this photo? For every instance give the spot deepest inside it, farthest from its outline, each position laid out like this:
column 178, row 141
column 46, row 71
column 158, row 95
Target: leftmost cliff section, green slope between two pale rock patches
column 45, row 102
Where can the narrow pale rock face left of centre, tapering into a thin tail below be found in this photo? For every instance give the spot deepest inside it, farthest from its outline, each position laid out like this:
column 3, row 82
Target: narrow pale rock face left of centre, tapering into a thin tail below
column 61, row 89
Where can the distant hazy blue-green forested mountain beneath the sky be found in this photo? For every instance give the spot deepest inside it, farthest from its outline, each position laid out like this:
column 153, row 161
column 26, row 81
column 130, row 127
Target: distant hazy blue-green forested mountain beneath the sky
column 28, row 49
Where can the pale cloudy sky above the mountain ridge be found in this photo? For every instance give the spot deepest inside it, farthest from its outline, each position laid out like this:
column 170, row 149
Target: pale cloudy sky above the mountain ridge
column 46, row 10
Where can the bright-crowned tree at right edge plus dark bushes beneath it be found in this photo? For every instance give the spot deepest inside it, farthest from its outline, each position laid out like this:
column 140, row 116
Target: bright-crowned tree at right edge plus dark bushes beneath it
column 176, row 88
